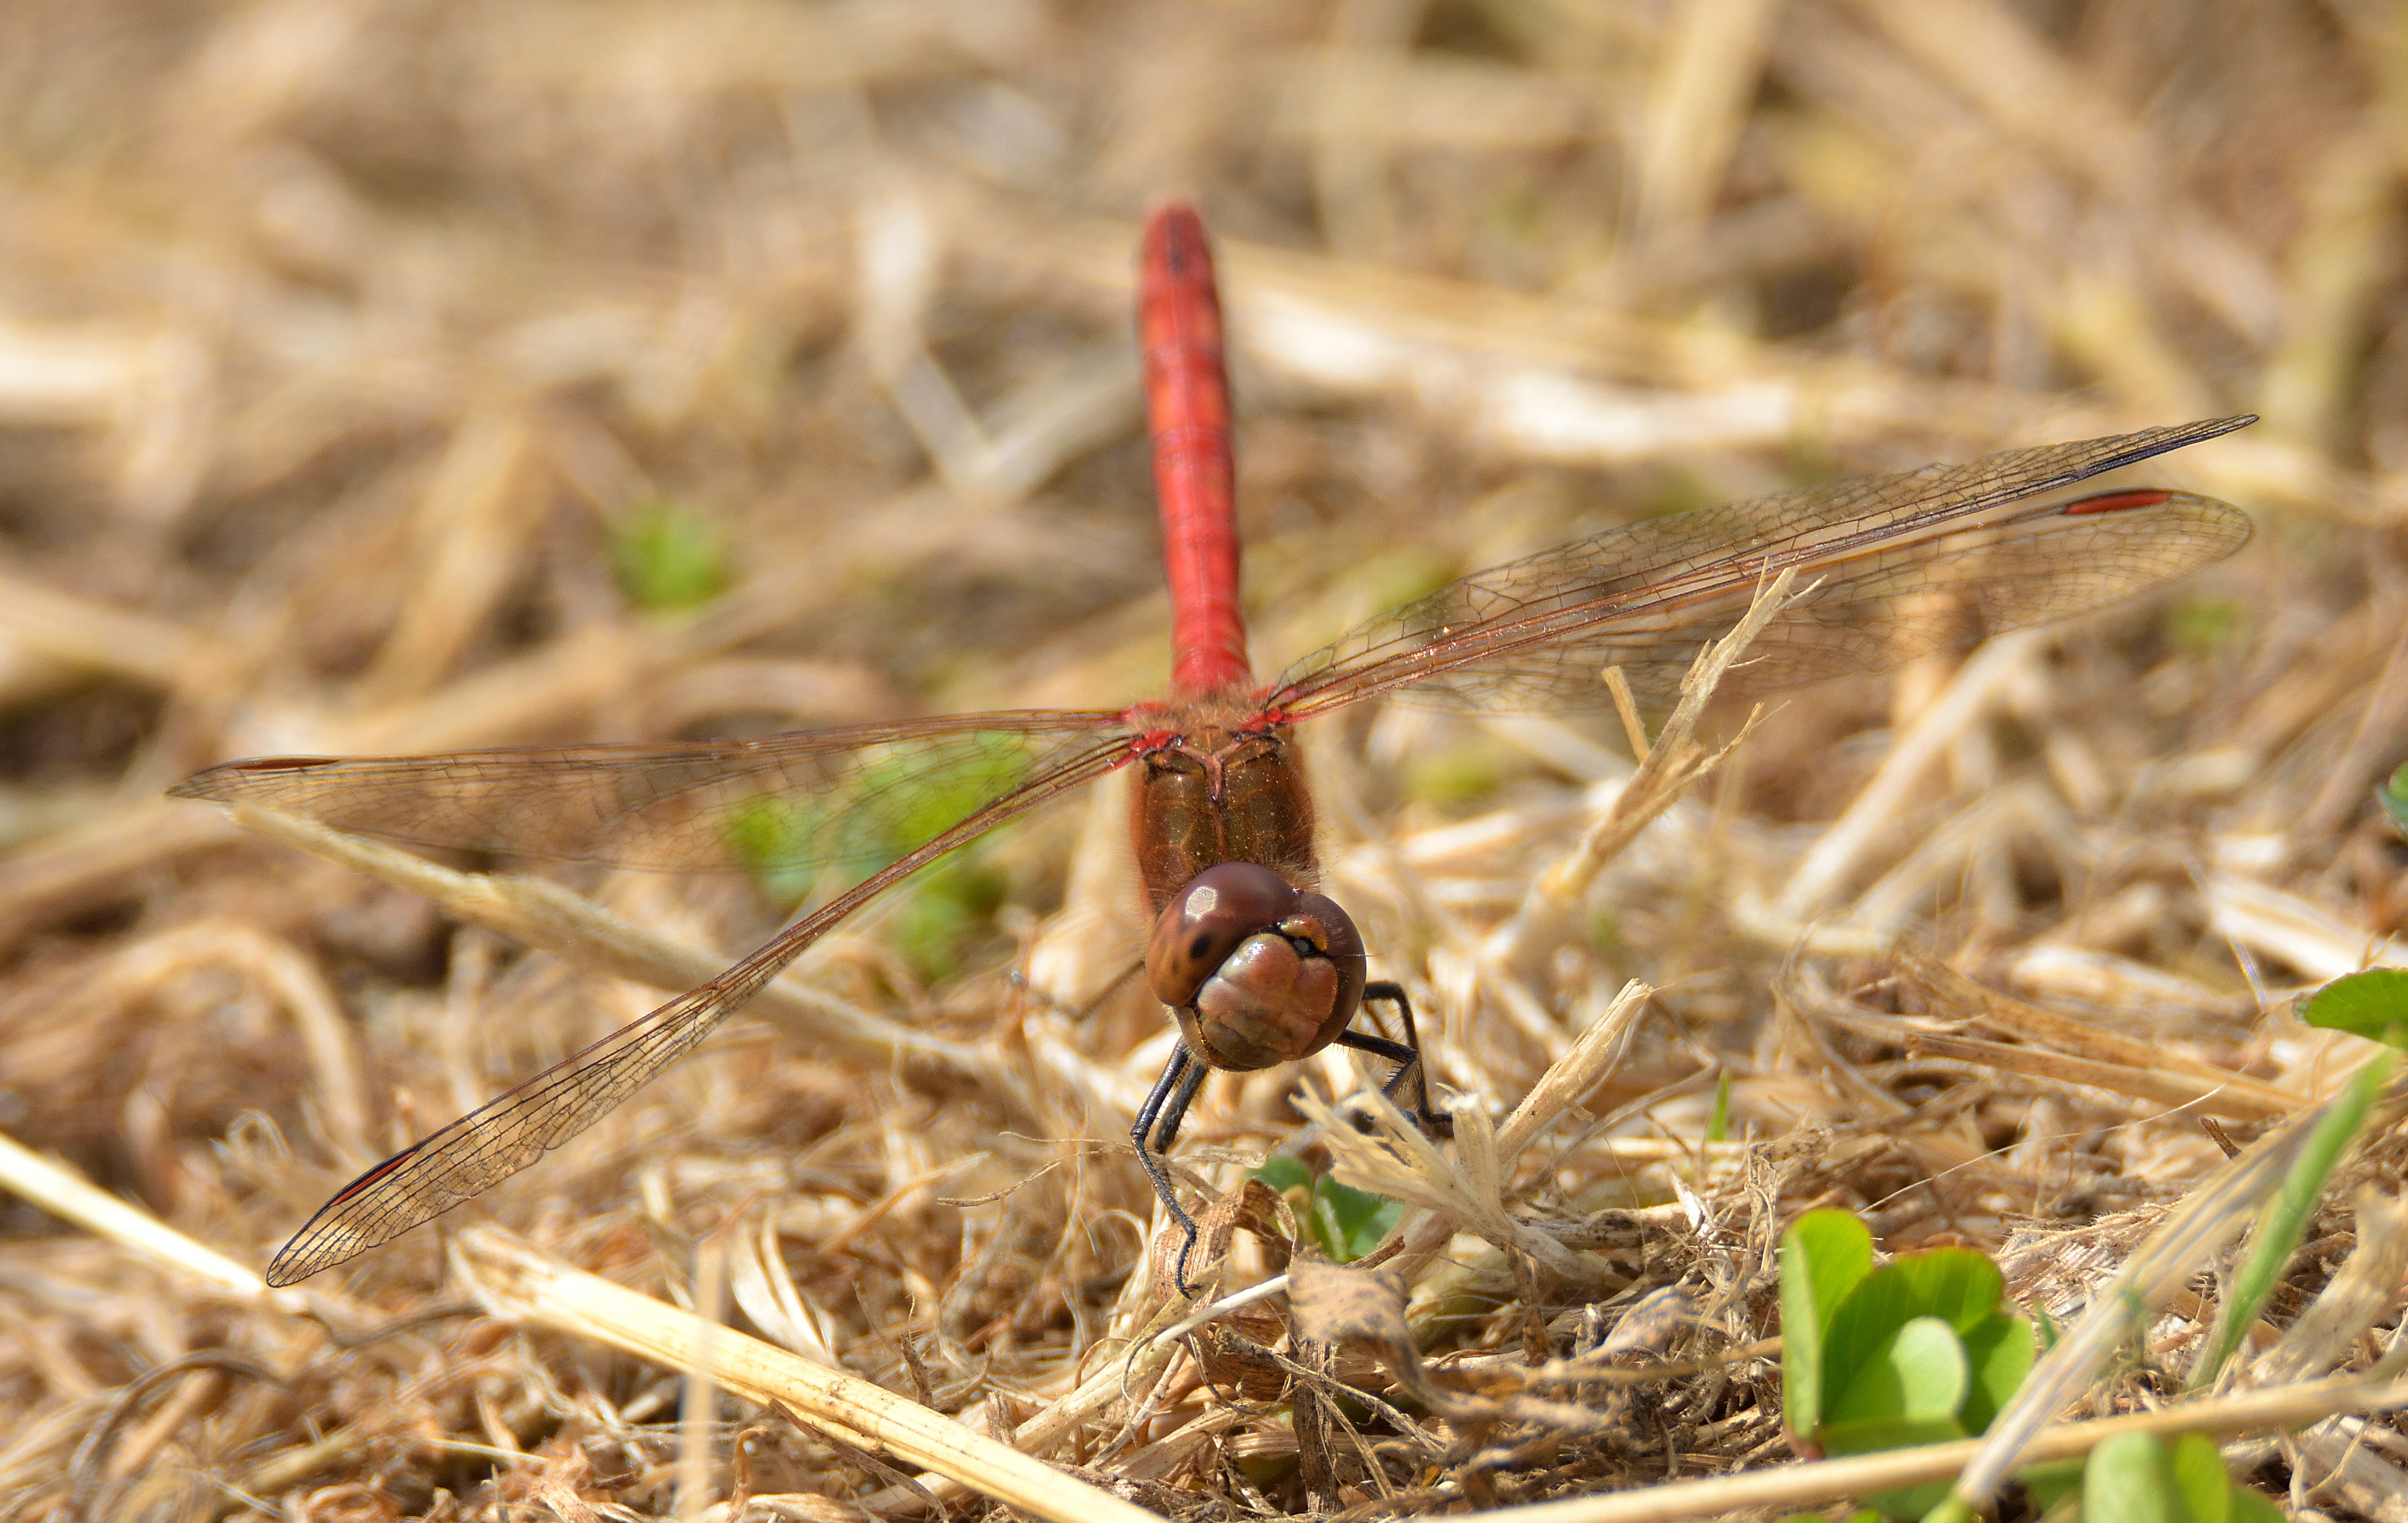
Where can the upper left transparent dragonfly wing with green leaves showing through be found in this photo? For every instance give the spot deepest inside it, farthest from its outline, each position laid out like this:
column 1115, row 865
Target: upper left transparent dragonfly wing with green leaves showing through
column 858, row 795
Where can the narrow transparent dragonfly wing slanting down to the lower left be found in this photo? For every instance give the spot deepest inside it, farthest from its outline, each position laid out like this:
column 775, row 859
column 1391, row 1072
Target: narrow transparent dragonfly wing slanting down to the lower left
column 517, row 1130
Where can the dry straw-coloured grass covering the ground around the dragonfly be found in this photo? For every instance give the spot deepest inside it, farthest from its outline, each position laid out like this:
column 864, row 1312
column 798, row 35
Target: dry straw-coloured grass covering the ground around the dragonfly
column 338, row 336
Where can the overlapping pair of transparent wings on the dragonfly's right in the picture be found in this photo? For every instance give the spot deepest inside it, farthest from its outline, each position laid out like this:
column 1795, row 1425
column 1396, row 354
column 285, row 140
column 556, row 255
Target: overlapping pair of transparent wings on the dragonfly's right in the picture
column 1899, row 564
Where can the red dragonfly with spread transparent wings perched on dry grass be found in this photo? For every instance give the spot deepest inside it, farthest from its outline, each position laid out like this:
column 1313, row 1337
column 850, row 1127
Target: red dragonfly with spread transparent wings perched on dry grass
column 1251, row 959
